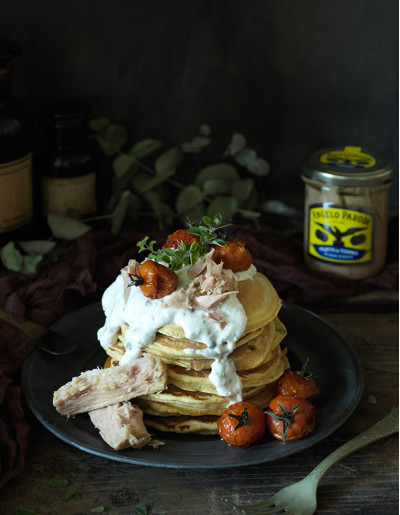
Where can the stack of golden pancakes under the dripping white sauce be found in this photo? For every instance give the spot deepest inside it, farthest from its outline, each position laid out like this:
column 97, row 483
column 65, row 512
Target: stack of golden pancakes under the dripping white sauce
column 190, row 404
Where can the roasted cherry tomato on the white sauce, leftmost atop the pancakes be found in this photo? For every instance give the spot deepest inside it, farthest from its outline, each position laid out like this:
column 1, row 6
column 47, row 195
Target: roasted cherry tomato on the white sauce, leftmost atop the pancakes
column 155, row 280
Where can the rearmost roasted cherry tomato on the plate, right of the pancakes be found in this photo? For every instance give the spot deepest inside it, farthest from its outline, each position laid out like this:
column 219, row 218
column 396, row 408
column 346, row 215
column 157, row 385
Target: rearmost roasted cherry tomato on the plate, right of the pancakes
column 299, row 383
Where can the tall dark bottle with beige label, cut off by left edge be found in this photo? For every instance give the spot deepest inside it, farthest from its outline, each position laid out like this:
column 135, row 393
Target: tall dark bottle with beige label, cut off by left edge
column 16, row 202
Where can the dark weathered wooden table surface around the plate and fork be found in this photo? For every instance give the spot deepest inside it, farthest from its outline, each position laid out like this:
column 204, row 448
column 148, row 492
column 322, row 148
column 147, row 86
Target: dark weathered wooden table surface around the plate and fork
column 364, row 483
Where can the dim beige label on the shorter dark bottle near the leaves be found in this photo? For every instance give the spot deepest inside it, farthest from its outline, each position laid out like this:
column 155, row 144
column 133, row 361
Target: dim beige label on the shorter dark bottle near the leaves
column 62, row 194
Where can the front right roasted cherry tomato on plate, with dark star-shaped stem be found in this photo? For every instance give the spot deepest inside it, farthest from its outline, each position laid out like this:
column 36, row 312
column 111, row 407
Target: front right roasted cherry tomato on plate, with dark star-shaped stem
column 290, row 418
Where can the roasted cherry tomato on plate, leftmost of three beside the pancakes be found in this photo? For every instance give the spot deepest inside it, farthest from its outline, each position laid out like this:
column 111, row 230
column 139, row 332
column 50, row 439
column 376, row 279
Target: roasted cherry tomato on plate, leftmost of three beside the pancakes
column 242, row 424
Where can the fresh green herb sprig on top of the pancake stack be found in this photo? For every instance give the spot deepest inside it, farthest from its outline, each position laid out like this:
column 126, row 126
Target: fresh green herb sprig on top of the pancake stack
column 188, row 254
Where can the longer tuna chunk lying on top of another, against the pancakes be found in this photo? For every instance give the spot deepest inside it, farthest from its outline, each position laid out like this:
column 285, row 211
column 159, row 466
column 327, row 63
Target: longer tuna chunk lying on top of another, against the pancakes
column 98, row 388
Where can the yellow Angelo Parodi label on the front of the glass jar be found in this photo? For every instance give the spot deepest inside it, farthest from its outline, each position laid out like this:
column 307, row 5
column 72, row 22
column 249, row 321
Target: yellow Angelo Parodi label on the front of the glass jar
column 339, row 234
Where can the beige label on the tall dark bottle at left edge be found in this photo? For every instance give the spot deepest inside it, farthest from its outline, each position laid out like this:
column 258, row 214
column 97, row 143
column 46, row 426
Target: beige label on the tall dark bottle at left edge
column 15, row 193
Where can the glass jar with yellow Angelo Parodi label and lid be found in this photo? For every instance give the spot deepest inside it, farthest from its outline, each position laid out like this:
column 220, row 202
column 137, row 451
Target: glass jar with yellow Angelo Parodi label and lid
column 346, row 211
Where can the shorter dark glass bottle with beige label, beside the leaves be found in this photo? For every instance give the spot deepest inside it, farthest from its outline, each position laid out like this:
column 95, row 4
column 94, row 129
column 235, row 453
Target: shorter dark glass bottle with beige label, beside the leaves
column 68, row 172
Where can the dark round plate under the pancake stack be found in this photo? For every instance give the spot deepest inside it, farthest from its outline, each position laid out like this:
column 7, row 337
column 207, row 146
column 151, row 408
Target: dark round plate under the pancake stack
column 333, row 360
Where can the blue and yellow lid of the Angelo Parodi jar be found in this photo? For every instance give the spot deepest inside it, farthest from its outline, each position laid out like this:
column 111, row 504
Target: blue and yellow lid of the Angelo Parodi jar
column 348, row 166
